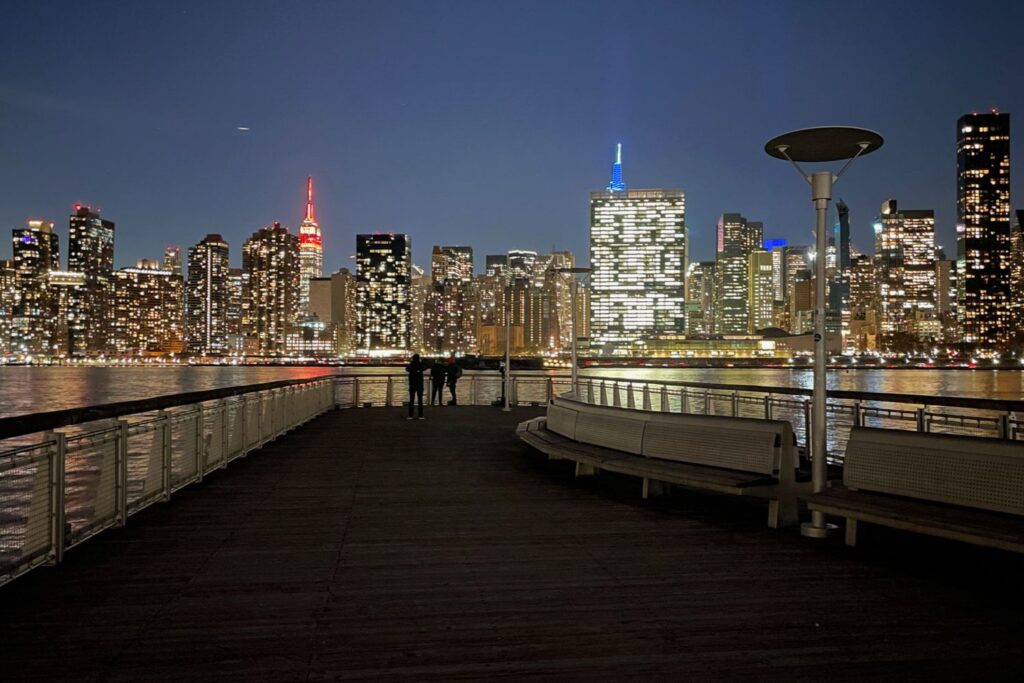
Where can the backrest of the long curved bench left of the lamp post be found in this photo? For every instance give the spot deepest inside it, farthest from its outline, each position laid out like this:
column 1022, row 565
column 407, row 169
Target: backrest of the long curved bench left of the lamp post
column 739, row 444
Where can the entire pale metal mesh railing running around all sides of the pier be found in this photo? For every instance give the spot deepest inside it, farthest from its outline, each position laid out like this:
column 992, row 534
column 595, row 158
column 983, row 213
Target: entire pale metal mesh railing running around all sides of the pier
column 68, row 476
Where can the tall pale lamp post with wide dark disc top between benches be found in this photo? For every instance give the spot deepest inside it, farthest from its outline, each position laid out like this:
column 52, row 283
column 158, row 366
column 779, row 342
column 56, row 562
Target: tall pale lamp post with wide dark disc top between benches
column 812, row 146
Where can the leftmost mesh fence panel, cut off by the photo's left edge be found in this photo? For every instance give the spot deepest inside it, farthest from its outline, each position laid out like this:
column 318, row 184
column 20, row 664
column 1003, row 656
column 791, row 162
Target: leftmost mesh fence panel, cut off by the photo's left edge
column 26, row 498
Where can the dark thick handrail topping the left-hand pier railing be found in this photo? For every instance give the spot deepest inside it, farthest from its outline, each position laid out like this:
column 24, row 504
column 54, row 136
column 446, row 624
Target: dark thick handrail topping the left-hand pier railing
column 30, row 423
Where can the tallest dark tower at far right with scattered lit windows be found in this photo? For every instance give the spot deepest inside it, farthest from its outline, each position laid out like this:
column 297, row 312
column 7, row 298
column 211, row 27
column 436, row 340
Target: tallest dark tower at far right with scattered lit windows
column 984, row 229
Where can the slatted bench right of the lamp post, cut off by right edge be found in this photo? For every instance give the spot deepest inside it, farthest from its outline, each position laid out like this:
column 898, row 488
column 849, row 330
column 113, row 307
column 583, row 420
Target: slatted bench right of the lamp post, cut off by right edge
column 961, row 488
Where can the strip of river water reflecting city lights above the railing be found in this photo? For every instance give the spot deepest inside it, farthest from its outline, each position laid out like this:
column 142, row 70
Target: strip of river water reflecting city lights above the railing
column 26, row 391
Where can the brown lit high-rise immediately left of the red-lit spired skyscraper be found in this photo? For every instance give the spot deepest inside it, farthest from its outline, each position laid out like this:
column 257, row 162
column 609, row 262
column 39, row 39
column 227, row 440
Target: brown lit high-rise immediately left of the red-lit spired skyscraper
column 271, row 289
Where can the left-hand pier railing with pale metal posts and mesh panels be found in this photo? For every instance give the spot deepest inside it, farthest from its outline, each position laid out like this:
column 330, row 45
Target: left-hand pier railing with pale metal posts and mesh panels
column 62, row 487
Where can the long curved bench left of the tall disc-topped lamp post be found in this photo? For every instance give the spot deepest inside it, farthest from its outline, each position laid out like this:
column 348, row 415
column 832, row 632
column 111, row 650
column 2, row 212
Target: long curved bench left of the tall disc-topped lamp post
column 735, row 456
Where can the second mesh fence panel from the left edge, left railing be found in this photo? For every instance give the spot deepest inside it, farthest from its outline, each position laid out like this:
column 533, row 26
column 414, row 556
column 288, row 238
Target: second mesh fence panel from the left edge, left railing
column 91, row 483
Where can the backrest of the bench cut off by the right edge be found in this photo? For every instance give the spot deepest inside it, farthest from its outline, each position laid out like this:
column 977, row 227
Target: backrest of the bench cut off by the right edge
column 974, row 473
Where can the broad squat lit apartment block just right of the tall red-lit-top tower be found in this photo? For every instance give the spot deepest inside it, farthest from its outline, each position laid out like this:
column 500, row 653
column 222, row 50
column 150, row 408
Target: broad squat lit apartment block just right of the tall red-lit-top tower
column 148, row 313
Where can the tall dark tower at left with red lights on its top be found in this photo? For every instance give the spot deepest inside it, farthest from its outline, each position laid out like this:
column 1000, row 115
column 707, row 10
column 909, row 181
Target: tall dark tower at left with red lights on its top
column 91, row 251
